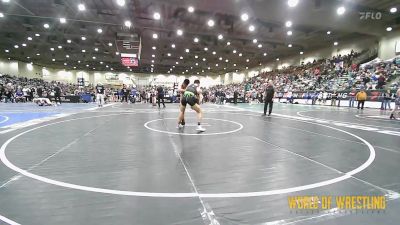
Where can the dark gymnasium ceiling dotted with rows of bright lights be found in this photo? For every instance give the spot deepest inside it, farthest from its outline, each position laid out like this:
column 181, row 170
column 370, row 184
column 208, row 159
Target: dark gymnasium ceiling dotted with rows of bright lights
column 311, row 20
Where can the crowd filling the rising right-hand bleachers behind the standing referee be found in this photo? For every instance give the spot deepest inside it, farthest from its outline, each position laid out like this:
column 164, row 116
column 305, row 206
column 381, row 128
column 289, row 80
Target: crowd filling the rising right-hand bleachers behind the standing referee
column 336, row 74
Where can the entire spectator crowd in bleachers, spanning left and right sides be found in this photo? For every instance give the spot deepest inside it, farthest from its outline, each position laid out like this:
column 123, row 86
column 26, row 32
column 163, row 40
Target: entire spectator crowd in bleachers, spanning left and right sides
column 320, row 76
